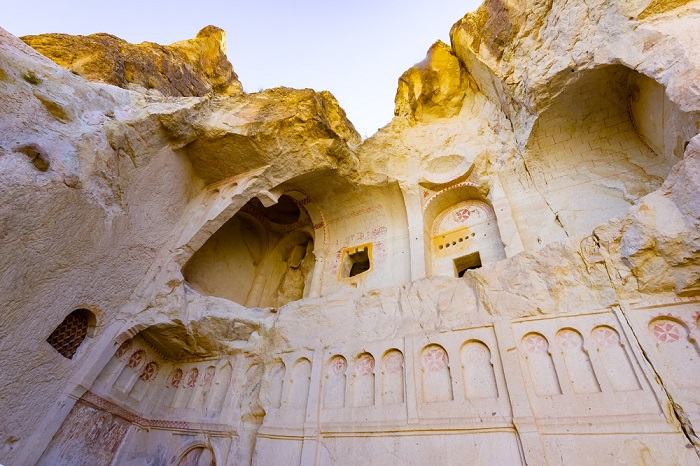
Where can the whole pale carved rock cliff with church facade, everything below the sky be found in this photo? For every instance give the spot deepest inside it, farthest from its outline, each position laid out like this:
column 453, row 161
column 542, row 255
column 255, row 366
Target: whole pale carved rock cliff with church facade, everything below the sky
column 508, row 272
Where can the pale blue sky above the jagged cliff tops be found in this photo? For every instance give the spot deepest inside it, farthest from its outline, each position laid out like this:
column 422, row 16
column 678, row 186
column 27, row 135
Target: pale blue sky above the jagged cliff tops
column 355, row 49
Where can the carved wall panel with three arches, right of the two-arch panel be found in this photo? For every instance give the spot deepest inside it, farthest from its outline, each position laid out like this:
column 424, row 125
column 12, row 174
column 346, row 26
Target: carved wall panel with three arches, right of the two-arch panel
column 582, row 366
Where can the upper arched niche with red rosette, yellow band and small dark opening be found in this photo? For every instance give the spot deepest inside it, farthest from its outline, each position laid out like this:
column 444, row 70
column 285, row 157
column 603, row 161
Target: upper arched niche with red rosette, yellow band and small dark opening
column 461, row 232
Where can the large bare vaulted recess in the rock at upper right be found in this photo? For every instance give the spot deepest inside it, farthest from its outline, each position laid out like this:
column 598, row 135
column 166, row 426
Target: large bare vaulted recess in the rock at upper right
column 606, row 138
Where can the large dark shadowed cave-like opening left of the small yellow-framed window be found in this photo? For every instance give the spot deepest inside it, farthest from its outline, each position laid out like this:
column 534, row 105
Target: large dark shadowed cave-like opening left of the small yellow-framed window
column 261, row 257
